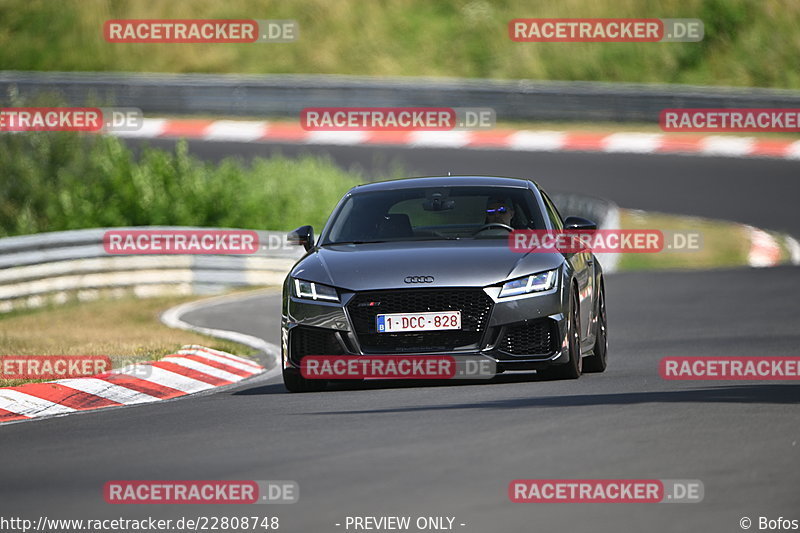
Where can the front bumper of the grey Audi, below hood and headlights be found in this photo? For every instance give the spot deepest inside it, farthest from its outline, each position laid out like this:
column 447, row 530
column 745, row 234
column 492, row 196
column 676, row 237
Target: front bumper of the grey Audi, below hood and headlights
column 517, row 334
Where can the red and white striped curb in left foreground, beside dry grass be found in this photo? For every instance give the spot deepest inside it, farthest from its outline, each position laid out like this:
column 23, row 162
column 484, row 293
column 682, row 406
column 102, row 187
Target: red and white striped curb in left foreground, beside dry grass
column 192, row 369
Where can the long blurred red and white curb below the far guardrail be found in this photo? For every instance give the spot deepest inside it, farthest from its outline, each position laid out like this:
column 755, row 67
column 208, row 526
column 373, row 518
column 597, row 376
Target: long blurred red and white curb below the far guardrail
column 503, row 139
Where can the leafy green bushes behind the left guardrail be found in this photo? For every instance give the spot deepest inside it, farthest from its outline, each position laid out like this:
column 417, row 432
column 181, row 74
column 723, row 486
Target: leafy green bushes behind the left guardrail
column 52, row 182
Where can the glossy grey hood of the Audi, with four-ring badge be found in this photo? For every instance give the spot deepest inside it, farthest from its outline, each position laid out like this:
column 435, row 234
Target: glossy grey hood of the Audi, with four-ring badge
column 451, row 263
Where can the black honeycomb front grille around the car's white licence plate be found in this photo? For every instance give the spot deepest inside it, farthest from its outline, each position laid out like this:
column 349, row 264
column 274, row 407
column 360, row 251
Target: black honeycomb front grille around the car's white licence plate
column 474, row 305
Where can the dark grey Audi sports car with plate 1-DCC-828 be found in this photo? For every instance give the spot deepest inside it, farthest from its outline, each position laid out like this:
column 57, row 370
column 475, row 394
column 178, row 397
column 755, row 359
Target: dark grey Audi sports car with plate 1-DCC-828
column 440, row 246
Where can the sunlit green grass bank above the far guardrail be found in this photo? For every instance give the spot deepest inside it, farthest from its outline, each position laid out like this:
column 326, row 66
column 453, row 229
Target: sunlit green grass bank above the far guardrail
column 747, row 42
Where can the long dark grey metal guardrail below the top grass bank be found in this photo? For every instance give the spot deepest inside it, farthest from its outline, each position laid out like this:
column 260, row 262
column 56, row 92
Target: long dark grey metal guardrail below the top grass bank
column 287, row 95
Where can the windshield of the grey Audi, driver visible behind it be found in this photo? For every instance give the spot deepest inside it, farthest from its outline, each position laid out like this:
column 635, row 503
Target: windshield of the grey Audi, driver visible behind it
column 434, row 213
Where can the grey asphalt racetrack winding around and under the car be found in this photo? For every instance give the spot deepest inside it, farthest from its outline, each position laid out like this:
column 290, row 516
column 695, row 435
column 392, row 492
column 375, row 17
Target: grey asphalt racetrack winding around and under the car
column 451, row 450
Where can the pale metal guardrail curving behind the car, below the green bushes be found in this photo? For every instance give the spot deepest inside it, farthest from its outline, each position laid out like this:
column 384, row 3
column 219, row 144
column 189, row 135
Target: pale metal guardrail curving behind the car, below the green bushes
column 52, row 268
